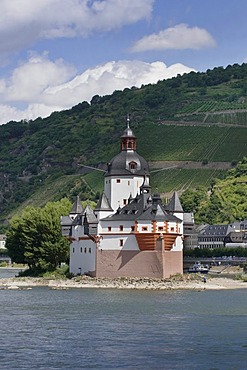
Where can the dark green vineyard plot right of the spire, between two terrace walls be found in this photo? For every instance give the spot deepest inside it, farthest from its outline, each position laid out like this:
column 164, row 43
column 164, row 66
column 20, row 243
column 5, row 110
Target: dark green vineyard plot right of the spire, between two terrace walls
column 192, row 143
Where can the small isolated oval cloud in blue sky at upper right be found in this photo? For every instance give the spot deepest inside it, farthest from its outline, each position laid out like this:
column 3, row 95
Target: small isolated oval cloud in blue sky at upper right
column 180, row 37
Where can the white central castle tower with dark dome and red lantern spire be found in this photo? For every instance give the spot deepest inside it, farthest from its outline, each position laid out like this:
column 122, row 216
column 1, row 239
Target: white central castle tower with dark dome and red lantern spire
column 126, row 172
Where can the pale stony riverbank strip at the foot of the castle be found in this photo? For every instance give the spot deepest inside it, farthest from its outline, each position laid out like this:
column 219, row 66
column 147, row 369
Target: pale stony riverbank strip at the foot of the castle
column 190, row 282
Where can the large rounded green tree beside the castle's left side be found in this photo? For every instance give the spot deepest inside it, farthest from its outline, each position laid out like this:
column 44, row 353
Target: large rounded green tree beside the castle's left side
column 35, row 237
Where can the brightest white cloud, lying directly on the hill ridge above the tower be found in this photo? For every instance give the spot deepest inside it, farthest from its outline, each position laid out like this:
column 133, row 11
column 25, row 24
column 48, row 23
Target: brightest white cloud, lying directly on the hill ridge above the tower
column 112, row 76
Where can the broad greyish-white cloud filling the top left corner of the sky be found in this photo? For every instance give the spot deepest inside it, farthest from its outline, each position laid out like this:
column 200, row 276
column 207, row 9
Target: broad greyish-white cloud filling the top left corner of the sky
column 23, row 22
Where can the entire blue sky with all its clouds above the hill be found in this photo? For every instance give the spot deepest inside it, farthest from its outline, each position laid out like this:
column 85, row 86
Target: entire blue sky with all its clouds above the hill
column 55, row 54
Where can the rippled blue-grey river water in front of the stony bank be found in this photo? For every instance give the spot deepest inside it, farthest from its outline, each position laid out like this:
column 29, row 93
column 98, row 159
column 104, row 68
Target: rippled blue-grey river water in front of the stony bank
column 123, row 329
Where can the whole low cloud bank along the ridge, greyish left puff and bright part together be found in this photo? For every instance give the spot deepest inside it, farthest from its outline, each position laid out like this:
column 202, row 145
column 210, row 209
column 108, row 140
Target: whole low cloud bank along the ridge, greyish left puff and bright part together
column 42, row 86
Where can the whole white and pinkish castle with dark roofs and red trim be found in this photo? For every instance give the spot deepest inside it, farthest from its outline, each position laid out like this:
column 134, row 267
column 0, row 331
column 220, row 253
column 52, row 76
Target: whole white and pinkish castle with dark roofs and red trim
column 130, row 233
